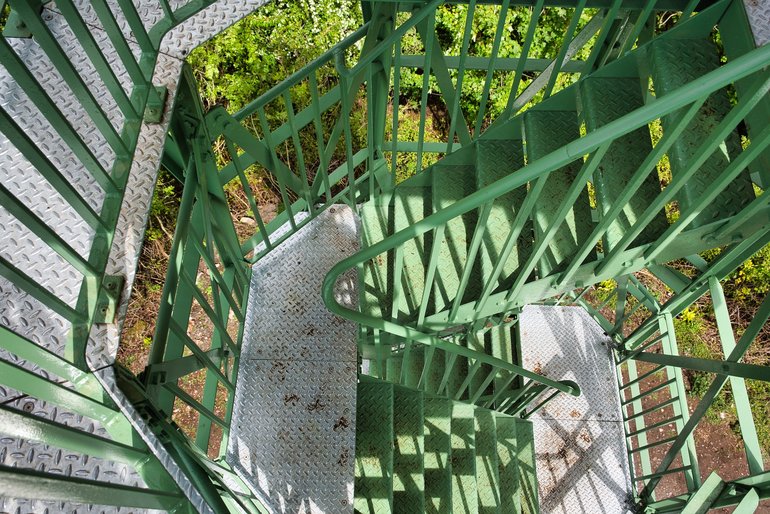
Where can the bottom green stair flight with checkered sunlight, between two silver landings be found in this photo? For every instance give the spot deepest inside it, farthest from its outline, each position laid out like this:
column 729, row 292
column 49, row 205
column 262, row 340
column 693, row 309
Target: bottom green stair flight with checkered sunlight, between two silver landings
column 422, row 453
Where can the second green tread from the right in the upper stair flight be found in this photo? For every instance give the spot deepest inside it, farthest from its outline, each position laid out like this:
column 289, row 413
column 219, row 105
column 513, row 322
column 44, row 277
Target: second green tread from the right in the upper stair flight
column 605, row 100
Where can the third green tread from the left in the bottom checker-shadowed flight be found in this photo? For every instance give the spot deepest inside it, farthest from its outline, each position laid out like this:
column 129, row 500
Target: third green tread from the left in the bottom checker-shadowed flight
column 438, row 447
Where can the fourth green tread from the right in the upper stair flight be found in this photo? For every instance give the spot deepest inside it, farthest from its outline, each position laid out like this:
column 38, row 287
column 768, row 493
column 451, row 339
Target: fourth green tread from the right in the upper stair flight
column 497, row 159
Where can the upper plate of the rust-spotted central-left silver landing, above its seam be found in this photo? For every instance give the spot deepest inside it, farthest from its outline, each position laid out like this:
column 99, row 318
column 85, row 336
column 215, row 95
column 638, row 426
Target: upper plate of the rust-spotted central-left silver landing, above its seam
column 286, row 285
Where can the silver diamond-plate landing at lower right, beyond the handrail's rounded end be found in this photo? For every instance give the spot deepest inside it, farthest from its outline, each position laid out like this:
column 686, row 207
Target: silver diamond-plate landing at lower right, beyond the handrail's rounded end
column 579, row 442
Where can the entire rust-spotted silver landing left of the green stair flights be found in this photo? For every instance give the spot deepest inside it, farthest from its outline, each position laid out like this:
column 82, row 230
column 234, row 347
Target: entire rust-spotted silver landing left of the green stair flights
column 293, row 434
